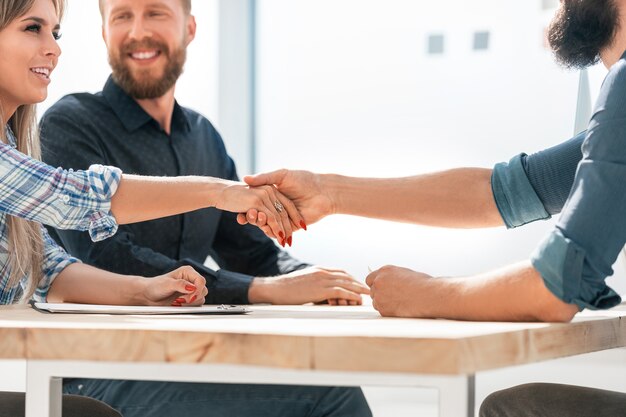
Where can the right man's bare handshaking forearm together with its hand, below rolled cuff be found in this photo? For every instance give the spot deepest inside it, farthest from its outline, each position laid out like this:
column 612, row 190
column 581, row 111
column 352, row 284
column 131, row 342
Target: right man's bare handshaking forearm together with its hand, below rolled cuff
column 454, row 198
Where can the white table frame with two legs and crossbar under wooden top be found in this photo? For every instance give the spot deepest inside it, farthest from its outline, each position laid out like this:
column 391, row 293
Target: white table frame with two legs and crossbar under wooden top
column 44, row 383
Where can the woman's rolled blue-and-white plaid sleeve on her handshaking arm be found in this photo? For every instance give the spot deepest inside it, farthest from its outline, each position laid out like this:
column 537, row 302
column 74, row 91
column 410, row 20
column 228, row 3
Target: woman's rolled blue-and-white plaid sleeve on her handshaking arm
column 65, row 199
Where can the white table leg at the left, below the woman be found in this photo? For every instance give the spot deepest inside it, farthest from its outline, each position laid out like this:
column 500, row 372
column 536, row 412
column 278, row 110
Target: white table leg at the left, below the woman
column 43, row 392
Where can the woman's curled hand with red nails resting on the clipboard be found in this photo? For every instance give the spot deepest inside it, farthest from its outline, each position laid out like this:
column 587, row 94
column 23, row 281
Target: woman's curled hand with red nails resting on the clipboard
column 183, row 286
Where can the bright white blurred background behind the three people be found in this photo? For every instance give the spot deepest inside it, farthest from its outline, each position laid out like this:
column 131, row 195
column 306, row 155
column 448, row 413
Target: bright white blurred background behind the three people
column 377, row 88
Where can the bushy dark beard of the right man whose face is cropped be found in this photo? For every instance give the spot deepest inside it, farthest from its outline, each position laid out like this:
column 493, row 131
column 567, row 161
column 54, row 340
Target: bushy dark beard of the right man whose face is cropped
column 581, row 29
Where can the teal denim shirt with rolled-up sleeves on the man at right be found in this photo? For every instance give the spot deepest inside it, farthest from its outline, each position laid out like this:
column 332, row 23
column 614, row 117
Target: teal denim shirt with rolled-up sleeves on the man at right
column 575, row 258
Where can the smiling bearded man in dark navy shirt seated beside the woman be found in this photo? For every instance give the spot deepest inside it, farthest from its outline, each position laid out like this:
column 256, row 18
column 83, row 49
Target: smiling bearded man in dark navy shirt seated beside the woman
column 136, row 124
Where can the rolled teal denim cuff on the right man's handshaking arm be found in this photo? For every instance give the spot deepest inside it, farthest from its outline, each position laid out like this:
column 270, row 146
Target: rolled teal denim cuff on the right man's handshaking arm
column 515, row 197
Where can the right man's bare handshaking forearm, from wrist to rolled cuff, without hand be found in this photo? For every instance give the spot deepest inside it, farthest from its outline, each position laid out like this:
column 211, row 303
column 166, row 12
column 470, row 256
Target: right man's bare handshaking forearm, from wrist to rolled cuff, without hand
column 459, row 198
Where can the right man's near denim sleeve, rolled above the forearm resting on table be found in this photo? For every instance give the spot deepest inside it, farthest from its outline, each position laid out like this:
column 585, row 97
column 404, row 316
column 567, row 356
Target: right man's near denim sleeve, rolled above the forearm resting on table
column 577, row 256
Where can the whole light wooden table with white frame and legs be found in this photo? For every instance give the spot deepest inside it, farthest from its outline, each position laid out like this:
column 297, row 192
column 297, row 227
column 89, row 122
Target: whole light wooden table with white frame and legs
column 312, row 345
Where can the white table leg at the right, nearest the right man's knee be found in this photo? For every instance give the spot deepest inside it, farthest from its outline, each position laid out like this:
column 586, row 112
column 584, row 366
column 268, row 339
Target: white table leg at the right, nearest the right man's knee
column 457, row 397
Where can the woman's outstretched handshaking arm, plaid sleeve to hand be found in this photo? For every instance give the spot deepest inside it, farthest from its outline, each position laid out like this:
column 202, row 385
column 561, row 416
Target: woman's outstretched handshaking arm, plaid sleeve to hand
column 82, row 200
